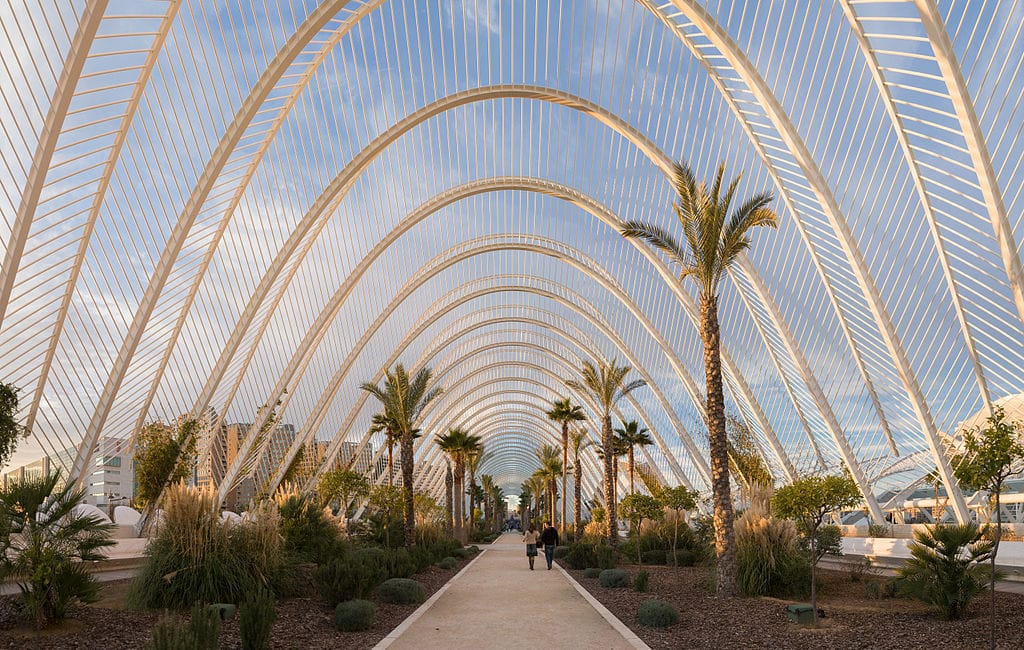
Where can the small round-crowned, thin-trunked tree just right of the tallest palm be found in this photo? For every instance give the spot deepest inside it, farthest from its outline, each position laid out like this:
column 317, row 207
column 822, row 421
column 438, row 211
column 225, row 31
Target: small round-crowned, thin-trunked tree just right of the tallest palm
column 808, row 501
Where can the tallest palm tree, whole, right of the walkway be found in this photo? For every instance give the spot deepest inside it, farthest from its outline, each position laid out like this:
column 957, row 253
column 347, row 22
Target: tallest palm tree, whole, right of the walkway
column 716, row 234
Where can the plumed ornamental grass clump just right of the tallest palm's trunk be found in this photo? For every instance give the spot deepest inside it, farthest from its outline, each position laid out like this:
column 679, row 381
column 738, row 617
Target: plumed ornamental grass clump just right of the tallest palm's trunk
column 771, row 560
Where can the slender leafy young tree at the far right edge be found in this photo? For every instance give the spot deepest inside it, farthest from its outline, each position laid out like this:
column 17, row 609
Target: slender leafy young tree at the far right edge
column 989, row 458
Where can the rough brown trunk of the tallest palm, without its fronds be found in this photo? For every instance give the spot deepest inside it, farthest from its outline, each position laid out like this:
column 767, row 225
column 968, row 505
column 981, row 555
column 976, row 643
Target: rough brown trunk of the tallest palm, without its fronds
column 726, row 544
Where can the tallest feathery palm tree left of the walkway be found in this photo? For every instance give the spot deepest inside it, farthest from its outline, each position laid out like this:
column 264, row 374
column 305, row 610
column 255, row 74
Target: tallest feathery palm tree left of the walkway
column 404, row 401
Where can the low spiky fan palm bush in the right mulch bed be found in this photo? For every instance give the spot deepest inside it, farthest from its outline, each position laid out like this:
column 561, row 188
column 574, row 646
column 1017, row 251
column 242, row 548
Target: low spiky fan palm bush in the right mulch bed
column 947, row 569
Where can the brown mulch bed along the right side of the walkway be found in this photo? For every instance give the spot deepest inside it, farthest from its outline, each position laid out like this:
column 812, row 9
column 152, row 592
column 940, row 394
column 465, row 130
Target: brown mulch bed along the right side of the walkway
column 854, row 620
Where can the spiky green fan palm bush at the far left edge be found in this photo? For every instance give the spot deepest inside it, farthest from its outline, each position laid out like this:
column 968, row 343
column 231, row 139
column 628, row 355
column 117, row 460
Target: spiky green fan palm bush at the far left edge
column 42, row 543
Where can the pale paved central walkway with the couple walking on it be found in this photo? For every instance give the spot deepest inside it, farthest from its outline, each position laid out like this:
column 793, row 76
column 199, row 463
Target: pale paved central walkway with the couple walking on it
column 498, row 602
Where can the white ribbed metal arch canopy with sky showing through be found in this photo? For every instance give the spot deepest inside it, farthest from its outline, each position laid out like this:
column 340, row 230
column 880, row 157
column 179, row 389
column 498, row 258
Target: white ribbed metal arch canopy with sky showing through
column 181, row 209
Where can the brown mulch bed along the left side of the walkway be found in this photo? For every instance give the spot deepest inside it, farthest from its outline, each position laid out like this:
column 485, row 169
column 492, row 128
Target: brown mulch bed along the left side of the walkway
column 302, row 623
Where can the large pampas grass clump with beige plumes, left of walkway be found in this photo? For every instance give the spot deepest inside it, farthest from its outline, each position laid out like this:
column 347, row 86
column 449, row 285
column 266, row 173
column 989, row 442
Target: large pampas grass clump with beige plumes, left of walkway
column 195, row 556
